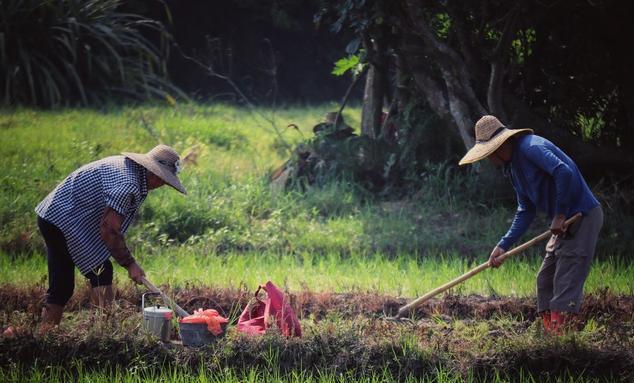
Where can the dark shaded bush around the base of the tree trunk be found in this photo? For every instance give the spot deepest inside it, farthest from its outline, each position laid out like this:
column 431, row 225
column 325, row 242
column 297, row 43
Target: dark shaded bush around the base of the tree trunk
column 395, row 164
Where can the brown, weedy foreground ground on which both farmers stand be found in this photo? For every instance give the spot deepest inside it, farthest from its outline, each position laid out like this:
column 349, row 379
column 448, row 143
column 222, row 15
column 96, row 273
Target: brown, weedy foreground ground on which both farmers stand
column 472, row 336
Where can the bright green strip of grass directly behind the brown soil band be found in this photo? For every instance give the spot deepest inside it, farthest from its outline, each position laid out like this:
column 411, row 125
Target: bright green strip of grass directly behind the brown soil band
column 400, row 275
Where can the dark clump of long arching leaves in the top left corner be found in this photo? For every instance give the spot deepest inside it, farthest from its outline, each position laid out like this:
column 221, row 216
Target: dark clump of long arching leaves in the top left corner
column 63, row 52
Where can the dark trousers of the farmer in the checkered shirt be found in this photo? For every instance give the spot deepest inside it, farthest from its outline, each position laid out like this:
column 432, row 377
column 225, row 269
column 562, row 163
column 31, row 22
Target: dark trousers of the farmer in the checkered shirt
column 61, row 269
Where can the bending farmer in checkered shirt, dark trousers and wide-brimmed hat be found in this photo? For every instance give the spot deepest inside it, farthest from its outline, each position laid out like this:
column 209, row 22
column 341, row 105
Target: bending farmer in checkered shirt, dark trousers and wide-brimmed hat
column 84, row 218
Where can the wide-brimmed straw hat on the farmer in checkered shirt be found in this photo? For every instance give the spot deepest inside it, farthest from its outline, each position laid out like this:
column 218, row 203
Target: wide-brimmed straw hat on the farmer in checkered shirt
column 163, row 161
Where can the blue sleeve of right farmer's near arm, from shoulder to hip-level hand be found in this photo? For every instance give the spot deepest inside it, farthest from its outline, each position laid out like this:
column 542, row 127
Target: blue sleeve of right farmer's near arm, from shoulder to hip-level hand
column 549, row 162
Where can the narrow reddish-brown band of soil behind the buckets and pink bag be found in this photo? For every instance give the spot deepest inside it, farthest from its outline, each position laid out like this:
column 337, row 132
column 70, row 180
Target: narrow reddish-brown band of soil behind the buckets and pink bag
column 318, row 305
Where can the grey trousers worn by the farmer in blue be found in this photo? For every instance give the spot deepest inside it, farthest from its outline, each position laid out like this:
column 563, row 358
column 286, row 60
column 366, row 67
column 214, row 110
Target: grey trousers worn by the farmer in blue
column 567, row 264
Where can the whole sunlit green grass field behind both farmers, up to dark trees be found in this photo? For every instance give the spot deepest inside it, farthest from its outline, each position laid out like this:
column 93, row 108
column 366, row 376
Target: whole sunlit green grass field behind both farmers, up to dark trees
column 233, row 228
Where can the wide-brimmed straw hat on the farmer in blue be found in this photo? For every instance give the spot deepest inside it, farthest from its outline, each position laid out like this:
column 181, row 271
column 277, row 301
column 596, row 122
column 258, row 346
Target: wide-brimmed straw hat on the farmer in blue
column 490, row 135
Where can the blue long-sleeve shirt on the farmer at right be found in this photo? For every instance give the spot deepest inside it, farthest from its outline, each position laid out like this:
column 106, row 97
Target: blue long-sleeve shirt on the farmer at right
column 544, row 179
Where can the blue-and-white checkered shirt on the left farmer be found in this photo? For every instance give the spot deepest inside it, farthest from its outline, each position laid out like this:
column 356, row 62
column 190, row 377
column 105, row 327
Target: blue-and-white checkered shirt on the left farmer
column 76, row 206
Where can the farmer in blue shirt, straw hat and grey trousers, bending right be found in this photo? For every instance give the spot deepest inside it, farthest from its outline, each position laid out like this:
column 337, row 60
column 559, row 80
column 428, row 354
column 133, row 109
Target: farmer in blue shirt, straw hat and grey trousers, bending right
column 545, row 179
